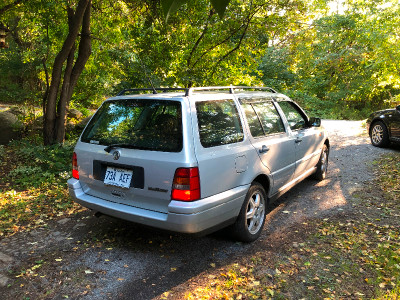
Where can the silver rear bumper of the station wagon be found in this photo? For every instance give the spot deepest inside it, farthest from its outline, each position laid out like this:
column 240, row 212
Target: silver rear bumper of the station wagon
column 187, row 217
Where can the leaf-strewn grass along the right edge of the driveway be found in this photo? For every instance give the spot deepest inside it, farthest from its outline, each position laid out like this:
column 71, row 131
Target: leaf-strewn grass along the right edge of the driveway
column 351, row 257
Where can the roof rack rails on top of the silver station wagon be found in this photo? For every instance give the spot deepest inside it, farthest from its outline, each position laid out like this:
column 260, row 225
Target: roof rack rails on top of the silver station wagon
column 190, row 91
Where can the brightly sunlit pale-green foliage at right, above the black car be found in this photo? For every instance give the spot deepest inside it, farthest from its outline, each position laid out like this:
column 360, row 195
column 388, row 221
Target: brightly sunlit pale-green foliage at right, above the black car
column 348, row 61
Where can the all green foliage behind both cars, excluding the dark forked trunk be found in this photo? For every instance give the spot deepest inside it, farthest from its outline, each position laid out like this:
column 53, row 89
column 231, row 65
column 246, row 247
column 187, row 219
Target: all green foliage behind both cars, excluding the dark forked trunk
column 343, row 65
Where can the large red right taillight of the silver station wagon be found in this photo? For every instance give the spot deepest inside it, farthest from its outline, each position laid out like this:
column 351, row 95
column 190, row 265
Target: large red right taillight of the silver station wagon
column 186, row 185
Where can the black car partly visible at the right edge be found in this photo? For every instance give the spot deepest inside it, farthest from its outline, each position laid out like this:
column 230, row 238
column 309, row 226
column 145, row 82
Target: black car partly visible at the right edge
column 384, row 127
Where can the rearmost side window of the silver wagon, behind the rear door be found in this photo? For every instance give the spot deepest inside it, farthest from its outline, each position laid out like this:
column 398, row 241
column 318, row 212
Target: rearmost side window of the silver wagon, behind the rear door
column 218, row 122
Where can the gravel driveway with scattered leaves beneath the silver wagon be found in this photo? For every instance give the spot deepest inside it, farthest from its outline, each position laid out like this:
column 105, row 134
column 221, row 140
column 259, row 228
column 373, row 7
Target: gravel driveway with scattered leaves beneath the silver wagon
column 89, row 258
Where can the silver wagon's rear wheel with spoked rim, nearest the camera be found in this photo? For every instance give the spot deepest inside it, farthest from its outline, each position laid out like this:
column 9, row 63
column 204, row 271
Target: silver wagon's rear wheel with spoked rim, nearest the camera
column 251, row 219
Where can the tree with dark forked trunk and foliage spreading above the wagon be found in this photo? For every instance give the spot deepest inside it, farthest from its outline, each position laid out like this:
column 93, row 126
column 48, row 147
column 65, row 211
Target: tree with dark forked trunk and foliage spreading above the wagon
column 128, row 37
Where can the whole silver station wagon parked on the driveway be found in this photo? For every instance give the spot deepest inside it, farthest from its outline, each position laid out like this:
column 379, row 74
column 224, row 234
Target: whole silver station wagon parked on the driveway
column 196, row 160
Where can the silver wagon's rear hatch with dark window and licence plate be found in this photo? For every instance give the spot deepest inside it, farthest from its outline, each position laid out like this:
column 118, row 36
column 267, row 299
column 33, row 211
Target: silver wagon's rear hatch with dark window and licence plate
column 130, row 150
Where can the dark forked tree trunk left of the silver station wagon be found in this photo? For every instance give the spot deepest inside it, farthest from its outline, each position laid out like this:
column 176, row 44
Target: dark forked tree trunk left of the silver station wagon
column 58, row 97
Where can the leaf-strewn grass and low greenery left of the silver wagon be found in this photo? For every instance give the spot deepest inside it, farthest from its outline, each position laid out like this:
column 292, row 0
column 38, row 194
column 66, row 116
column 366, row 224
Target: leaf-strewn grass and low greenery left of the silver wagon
column 33, row 186
